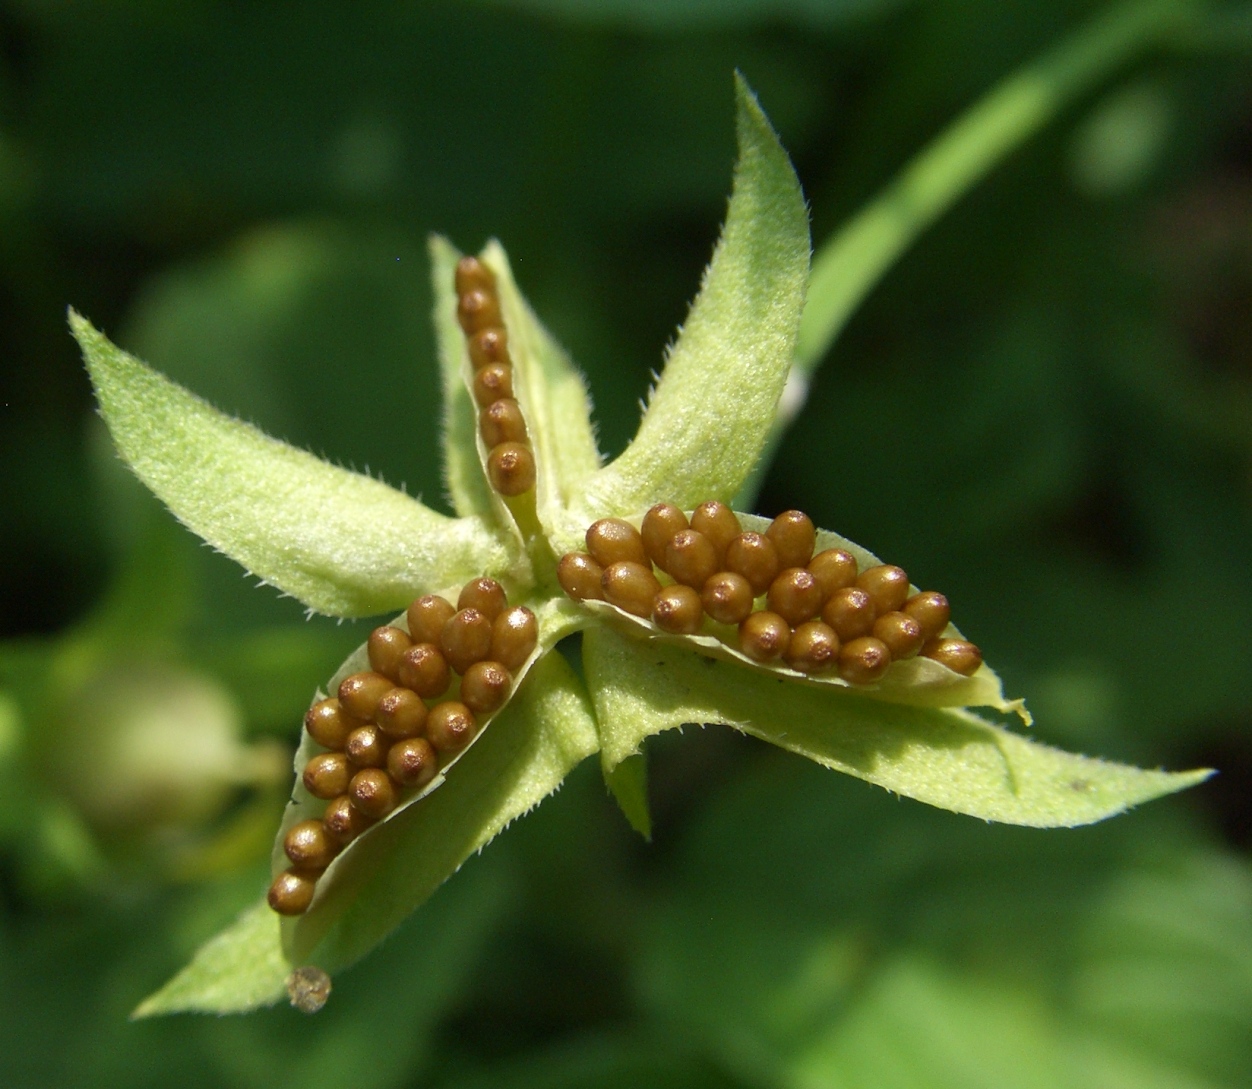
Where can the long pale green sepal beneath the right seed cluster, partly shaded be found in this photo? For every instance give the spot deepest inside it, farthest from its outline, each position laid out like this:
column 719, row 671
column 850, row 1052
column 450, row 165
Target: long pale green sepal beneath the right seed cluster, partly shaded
column 950, row 759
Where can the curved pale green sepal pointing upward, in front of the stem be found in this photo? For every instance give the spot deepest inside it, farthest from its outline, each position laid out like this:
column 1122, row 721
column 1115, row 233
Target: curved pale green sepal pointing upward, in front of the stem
column 708, row 420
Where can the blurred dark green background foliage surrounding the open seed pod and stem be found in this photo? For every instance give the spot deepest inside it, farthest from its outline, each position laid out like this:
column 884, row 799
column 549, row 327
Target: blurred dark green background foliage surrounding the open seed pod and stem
column 1046, row 410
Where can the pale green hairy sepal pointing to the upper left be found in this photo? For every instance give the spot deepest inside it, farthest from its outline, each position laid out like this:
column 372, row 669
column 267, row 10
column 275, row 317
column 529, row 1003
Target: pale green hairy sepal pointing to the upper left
column 341, row 543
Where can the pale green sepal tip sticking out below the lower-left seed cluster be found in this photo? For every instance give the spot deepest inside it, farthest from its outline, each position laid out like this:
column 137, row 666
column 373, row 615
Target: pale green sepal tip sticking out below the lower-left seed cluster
column 237, row 971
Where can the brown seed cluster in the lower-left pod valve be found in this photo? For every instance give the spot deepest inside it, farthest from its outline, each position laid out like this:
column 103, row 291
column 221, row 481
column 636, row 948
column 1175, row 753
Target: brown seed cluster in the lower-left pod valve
column 381, row 737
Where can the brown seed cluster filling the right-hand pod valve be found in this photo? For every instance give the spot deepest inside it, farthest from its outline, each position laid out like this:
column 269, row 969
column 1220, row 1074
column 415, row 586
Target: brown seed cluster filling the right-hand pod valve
column 813, row 613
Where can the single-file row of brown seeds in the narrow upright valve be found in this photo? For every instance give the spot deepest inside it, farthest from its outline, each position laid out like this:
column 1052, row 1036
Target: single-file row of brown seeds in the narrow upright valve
column 510, row 460
